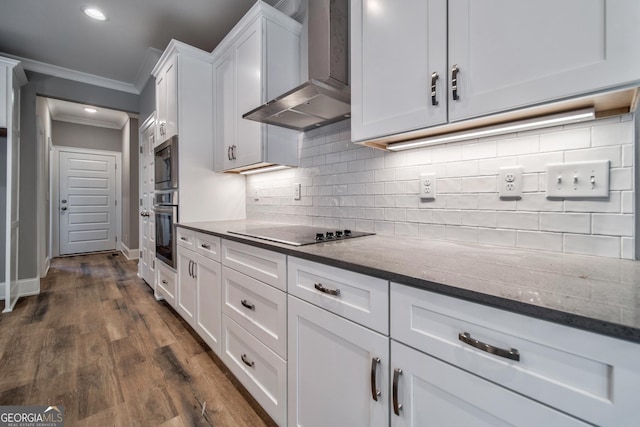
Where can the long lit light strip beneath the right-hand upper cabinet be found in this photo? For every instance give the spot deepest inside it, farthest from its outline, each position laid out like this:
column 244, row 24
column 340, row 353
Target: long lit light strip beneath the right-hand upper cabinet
column 537, row 123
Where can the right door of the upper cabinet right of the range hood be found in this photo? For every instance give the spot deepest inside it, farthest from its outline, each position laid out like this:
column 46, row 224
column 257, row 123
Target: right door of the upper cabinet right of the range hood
column 513, row 54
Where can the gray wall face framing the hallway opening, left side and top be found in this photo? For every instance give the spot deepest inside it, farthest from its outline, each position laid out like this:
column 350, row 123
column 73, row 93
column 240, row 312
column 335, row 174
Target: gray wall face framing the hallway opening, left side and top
column 54, row 87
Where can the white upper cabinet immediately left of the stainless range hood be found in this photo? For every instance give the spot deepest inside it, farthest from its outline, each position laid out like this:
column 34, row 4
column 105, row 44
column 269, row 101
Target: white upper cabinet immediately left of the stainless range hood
column 257, row 61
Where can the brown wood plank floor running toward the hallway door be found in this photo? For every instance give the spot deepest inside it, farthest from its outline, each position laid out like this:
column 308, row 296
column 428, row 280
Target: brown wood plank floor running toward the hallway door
column 96, row 341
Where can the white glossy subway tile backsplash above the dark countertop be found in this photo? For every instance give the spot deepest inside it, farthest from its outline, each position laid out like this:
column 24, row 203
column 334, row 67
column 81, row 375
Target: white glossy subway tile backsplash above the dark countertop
column 344, row 185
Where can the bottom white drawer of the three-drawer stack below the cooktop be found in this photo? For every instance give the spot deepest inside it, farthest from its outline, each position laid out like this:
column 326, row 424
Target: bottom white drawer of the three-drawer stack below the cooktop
column 259, row 369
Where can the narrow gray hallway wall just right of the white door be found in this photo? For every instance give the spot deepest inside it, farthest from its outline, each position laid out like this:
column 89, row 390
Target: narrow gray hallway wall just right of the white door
column 130, row 211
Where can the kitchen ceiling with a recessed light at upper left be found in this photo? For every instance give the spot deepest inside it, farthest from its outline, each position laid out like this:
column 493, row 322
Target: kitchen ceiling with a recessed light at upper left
column 56, row 38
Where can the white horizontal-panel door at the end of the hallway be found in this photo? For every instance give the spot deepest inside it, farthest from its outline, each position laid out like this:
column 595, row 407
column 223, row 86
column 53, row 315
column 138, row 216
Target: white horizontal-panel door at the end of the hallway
column 87, row 202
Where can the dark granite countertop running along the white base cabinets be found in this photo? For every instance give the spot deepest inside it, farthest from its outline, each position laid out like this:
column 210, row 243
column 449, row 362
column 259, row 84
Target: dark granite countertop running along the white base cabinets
column 596, row 294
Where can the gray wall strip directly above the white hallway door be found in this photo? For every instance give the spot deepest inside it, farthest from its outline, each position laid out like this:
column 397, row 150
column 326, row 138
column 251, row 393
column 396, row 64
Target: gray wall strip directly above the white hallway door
column 83, row 136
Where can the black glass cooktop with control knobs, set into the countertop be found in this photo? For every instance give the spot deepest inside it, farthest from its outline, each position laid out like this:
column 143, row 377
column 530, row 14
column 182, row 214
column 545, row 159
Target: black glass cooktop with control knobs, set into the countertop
column 298, row 235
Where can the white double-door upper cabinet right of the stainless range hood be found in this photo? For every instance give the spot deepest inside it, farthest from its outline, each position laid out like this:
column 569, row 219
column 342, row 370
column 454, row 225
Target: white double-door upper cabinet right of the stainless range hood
column 489, row 57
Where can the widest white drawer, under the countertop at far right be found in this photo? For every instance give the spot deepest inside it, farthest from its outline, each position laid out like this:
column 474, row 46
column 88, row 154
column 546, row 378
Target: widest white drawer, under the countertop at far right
column 590, row 376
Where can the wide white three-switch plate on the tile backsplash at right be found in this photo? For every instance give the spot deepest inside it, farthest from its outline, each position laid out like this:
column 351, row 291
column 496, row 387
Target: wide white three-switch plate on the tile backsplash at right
column 578, row 179
